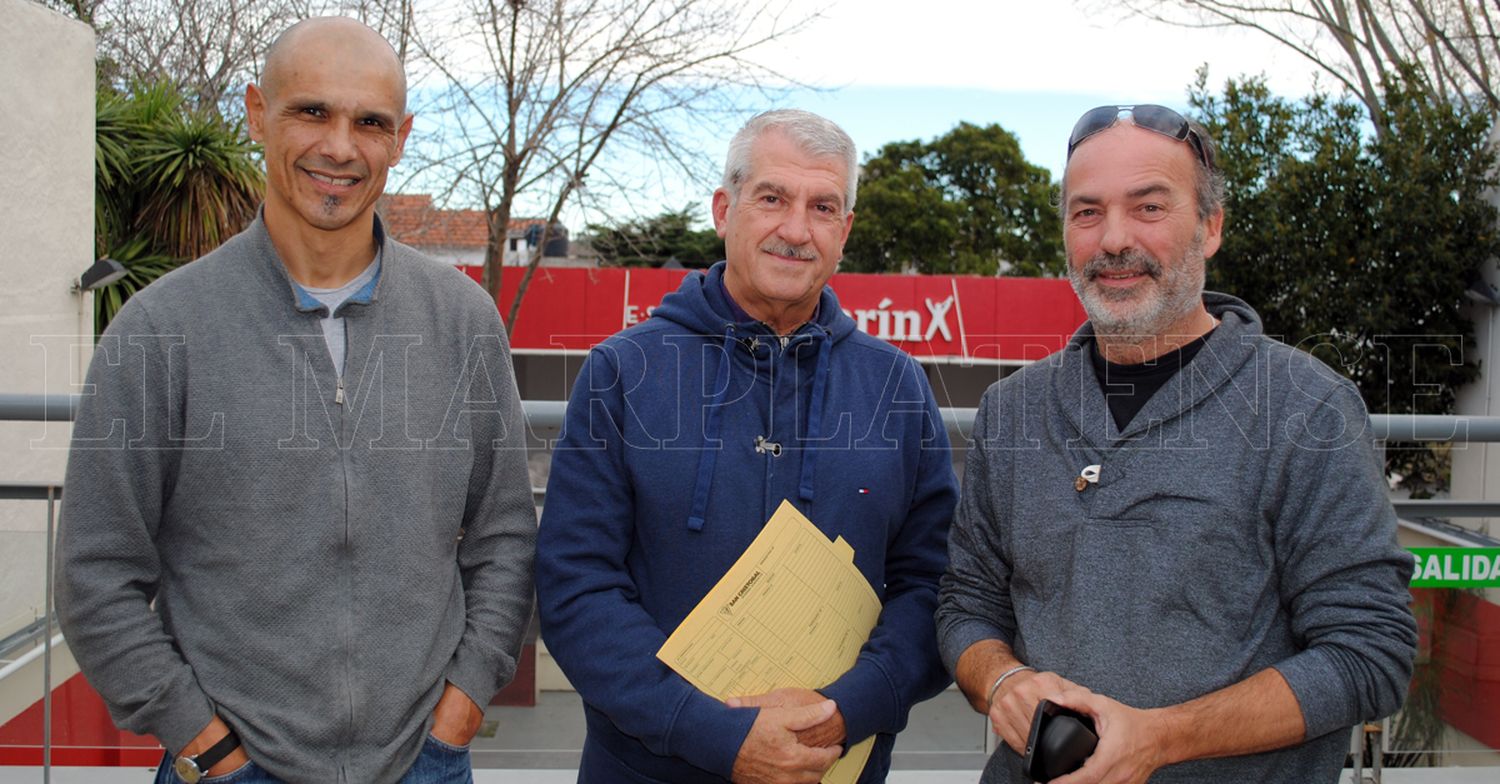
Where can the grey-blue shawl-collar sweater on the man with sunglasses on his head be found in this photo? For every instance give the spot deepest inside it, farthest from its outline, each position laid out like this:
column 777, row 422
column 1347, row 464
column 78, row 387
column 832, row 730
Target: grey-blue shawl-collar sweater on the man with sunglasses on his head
column 1240, row 522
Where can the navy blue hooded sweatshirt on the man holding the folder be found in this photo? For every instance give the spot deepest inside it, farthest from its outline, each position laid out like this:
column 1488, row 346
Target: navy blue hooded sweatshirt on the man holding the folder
column 682, row 438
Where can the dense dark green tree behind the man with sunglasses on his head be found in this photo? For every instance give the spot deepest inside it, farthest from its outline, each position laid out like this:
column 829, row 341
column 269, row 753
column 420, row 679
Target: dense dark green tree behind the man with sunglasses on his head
column 1360, row 248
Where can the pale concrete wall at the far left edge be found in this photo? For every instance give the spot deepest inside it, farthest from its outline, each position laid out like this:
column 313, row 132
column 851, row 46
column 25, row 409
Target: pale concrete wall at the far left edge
column 47, row 98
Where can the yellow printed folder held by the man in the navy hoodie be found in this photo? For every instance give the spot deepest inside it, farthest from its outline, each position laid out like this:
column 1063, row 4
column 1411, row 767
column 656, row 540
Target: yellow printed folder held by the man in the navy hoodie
column 793, row 612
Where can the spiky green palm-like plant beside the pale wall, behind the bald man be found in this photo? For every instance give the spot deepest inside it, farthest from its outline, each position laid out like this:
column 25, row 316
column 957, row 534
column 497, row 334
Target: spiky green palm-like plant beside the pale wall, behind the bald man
column 170, row 185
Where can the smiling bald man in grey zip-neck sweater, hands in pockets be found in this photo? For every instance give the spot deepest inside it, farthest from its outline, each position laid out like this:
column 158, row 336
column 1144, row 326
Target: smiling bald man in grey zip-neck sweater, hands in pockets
column 299, row 531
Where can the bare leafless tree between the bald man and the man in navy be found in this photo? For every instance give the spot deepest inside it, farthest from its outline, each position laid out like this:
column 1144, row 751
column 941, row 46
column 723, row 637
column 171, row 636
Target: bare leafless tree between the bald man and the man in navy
column 542, row 98
